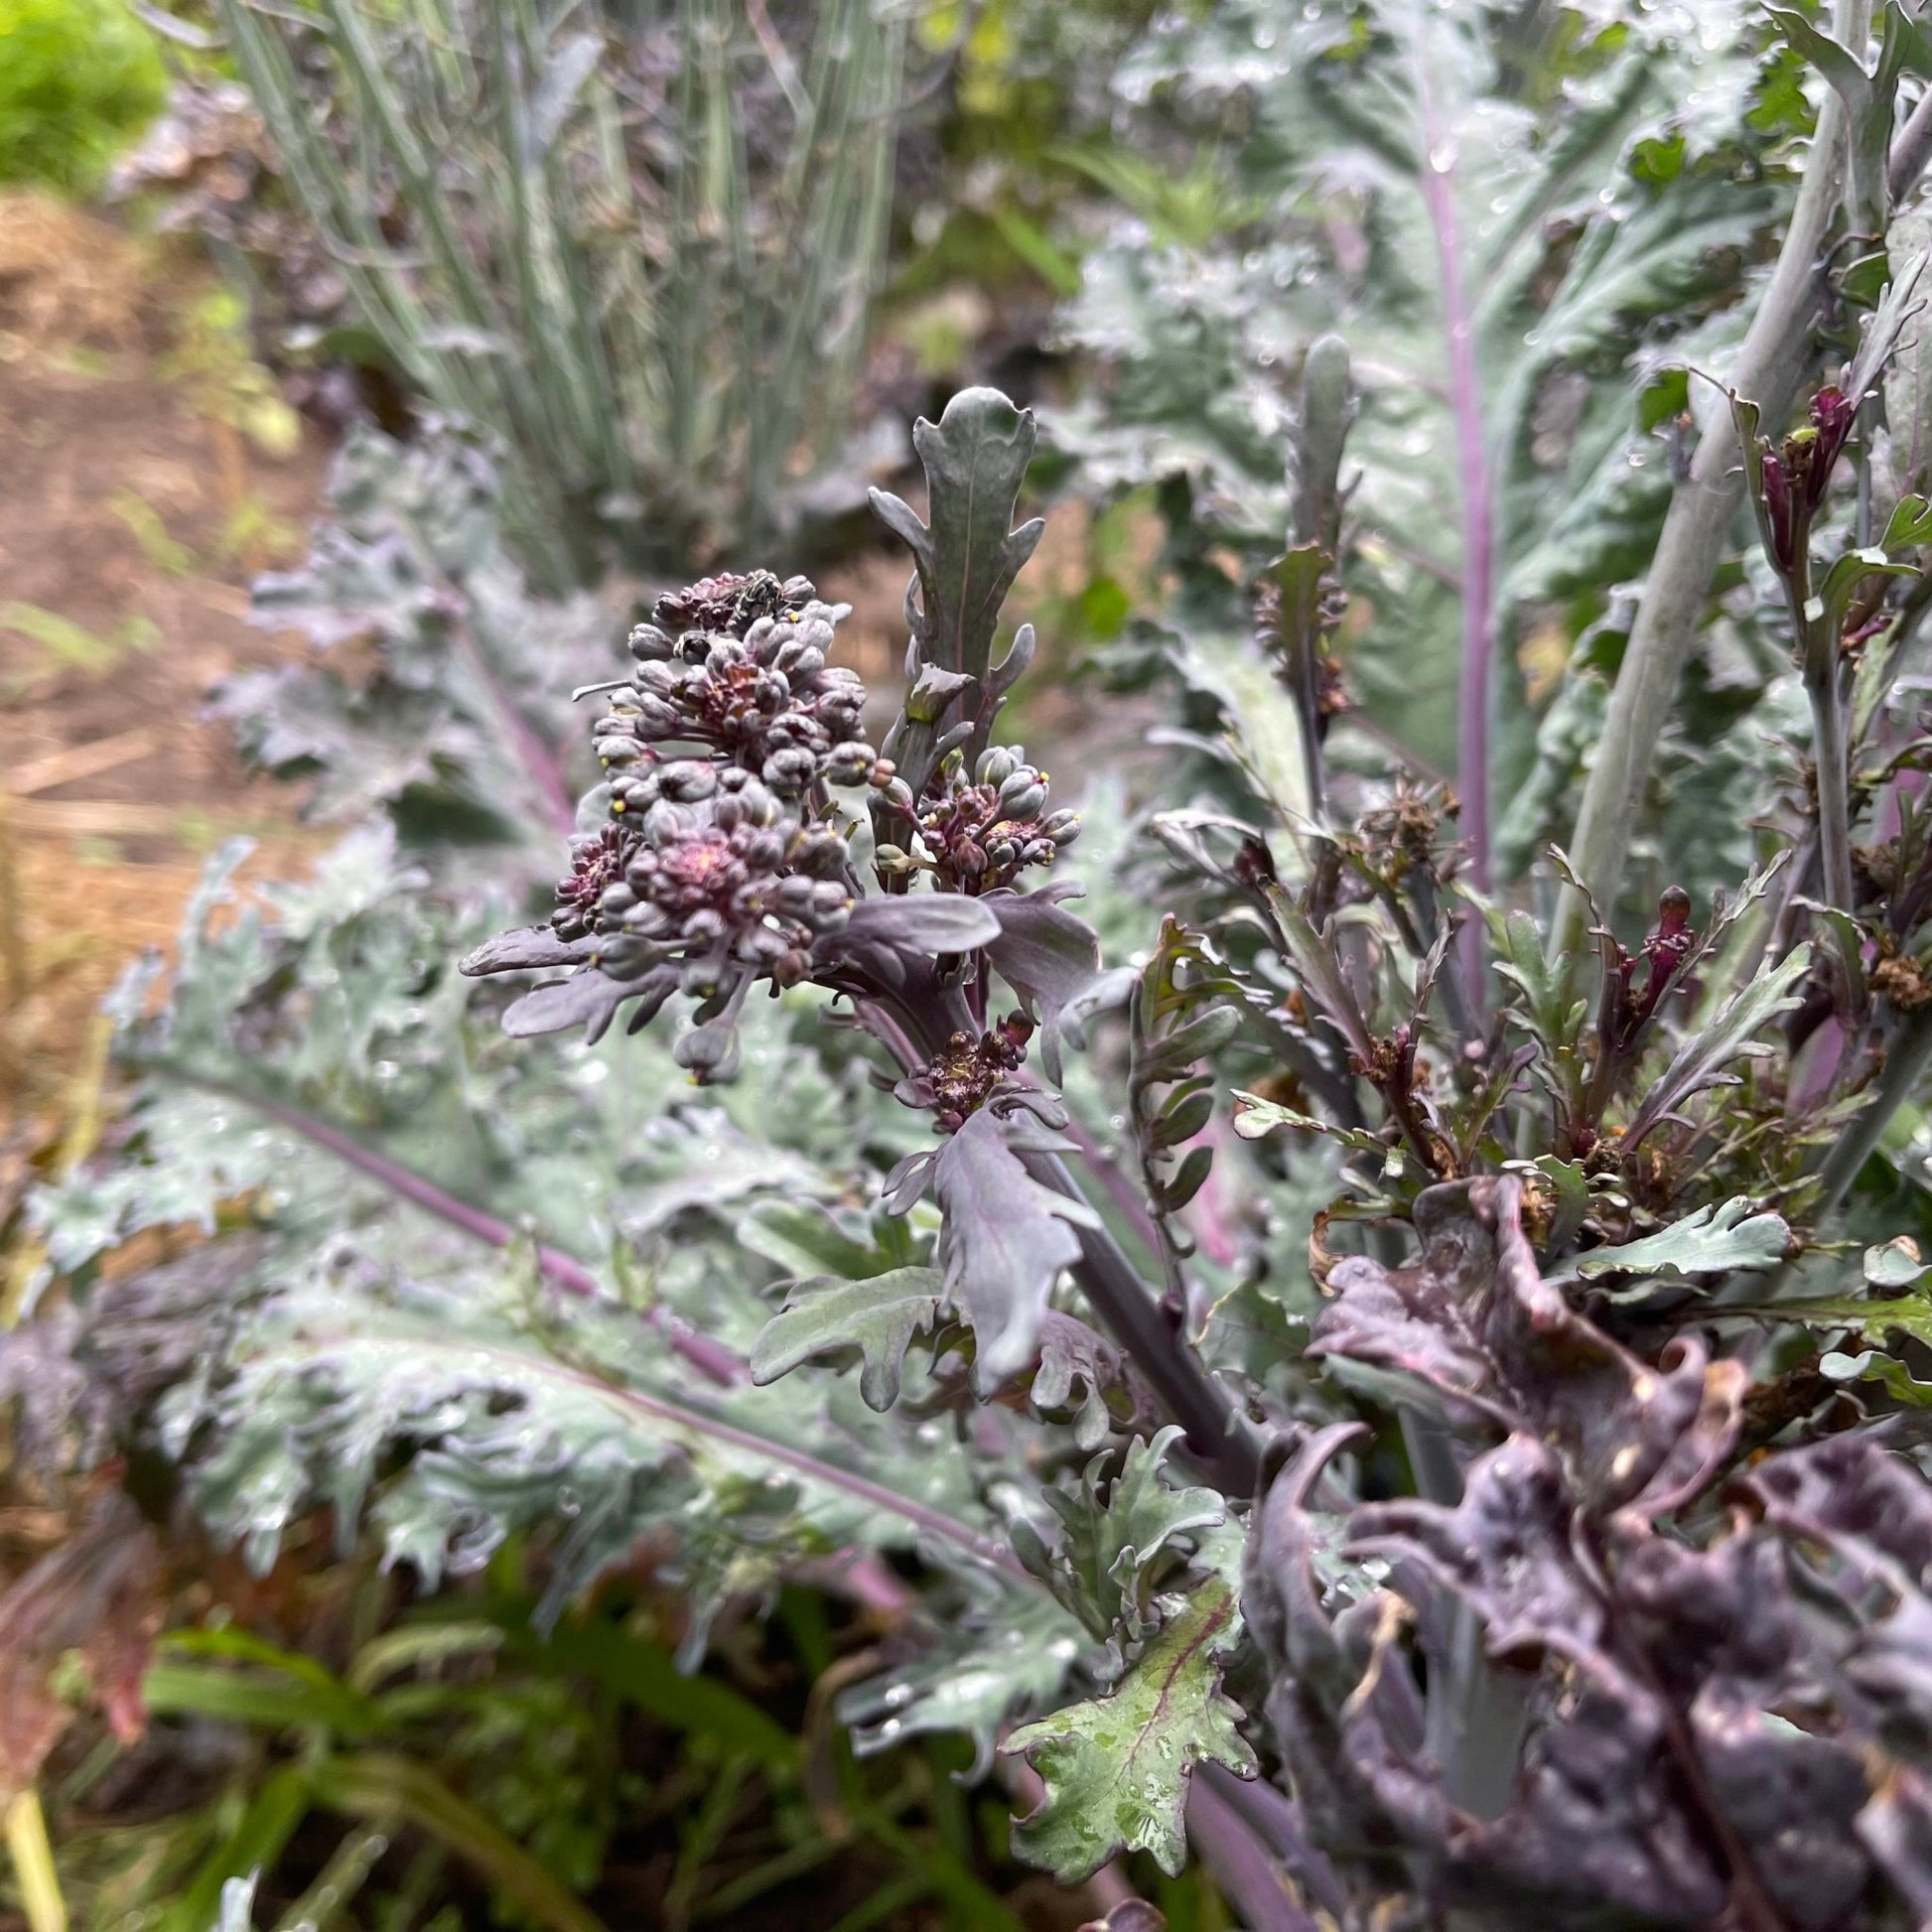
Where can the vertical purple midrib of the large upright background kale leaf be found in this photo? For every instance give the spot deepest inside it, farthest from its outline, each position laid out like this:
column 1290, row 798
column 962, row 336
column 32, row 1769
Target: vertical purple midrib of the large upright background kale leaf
column 1479, row 534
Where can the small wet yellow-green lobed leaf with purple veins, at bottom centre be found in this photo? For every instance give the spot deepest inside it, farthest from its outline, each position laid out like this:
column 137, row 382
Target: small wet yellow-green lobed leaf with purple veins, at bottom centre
column 1118, row 1769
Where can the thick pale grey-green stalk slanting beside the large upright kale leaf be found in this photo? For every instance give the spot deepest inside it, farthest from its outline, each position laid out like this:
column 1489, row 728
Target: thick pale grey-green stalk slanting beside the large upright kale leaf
column 1769, row 370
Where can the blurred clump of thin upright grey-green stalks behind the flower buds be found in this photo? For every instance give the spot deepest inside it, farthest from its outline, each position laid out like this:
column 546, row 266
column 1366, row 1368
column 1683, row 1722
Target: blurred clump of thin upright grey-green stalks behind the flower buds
column 635, row 246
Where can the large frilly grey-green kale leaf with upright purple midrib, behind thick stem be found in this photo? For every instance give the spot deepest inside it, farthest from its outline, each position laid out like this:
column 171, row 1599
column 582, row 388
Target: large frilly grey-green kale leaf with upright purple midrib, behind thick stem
column 1581, row 208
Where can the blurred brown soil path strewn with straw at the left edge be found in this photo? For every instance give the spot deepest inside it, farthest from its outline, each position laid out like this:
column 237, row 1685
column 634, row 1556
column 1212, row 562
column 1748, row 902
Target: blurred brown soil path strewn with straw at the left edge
column 136, row 513
